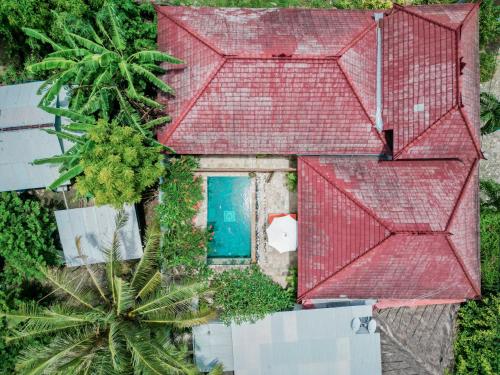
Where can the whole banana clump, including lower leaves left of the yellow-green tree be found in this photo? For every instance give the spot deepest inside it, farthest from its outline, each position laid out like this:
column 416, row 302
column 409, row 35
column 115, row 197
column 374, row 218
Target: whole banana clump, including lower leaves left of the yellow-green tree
column 105, row 81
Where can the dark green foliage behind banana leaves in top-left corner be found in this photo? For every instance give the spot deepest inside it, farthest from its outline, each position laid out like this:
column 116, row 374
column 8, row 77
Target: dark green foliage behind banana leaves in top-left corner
column 55, row 16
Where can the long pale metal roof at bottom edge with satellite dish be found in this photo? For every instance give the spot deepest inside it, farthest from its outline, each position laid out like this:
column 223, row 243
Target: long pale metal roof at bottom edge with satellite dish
column 318, row 341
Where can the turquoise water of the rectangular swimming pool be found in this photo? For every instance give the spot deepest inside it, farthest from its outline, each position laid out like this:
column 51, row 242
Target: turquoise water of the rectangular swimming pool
column 229, row 208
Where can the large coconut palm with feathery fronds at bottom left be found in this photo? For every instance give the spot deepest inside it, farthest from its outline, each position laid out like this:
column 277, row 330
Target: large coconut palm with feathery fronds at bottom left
column 110, row 324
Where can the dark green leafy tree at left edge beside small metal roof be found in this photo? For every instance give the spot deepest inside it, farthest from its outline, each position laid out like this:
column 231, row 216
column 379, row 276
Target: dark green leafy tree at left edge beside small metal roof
column 27, row 237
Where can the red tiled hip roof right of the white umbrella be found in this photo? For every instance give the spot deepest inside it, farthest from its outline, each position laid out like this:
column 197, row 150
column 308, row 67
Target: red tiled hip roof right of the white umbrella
column 389, row 230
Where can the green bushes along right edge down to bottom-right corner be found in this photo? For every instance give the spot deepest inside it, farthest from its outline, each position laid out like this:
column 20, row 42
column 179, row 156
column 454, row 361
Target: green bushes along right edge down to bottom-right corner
column 478, row 339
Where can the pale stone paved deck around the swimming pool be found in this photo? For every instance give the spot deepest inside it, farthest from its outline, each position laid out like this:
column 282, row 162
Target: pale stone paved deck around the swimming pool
column 270, row 196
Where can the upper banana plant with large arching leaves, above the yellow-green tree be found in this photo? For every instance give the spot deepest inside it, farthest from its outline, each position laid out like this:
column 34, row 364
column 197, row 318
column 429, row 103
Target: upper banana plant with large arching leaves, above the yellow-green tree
column 104, row 80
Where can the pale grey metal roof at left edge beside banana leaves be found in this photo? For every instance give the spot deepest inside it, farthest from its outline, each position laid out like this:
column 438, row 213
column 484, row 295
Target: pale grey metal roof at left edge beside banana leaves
column 18, row 148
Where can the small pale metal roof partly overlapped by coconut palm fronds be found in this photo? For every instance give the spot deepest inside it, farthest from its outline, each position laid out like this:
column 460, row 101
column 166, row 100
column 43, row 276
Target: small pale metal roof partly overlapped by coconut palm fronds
column 95, row 226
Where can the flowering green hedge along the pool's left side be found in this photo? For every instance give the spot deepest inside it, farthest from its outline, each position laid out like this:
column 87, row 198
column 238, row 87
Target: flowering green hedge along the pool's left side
column 184, row 245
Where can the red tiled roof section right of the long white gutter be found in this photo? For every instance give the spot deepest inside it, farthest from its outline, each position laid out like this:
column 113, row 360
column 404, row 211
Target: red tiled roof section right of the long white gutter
column 424, row 49
